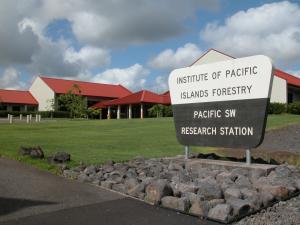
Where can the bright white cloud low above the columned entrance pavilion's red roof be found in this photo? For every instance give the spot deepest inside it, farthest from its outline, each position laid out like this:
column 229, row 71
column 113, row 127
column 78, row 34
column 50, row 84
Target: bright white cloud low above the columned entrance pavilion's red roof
column 133, row 77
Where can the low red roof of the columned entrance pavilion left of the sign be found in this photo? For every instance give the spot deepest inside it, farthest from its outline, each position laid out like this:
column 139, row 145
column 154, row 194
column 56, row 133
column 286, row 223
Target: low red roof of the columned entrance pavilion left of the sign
column 143, row 96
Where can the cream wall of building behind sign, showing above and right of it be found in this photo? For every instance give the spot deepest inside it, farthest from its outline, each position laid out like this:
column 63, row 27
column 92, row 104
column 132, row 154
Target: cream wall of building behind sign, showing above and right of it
column 279, row 86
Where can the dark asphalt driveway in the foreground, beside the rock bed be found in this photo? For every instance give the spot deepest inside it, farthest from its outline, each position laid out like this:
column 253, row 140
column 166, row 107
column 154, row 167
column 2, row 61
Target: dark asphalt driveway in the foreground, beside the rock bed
column 32, row 197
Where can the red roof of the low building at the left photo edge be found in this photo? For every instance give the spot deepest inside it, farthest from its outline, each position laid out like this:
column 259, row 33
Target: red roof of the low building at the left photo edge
column 17, row 97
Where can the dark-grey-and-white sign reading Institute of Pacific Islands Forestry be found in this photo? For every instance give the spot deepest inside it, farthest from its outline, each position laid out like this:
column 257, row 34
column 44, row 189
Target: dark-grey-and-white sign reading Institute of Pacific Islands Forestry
column 222, row 104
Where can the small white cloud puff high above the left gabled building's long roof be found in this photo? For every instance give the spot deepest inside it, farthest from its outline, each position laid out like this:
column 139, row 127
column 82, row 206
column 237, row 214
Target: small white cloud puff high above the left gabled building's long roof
column 89, row 56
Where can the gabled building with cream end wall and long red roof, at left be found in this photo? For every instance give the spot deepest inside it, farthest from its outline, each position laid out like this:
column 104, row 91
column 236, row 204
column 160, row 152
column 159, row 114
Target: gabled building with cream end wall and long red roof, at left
column 46, row 90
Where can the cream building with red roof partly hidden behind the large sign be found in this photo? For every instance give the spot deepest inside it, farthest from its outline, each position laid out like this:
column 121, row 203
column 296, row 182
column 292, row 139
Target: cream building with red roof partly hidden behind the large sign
column 285, row 87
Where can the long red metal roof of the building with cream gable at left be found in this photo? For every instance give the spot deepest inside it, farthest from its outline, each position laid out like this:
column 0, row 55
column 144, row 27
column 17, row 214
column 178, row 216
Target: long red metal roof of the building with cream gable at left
column 61, row 86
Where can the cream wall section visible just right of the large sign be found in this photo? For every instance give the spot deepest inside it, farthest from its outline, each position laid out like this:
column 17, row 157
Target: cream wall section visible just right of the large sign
column 279, row 90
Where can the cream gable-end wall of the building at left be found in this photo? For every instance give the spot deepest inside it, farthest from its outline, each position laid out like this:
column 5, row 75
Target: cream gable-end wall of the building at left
column 42, row 93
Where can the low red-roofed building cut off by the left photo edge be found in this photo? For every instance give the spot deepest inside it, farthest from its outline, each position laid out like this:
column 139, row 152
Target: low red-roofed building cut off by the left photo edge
column 13, row 100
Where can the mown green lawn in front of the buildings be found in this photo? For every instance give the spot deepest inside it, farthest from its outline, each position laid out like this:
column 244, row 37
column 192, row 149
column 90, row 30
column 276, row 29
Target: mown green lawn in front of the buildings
column 96, row 141
